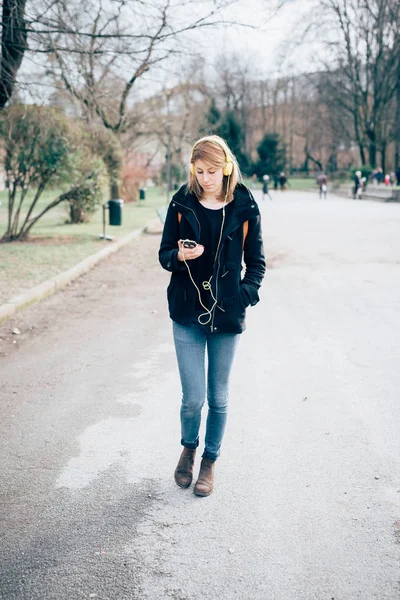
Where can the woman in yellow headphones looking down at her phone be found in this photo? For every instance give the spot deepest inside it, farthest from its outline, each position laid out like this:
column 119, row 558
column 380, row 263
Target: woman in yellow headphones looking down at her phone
column 211, row 224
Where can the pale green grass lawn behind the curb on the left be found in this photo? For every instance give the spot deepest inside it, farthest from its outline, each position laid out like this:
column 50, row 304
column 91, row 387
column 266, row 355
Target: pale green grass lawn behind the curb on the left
column 55, row 246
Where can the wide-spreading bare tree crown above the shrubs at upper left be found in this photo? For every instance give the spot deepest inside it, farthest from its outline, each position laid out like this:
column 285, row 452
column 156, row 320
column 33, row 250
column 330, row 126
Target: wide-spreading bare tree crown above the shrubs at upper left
column 101, row 51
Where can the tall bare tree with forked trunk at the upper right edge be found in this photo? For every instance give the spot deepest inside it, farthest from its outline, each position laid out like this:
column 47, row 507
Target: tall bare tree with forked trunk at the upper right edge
column 363, row 75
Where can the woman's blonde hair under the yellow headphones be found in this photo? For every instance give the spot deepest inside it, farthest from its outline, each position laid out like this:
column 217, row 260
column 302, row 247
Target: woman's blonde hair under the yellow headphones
column 214, row 151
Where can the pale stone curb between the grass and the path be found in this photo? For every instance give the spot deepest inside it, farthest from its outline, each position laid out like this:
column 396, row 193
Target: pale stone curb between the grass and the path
column 49, row 287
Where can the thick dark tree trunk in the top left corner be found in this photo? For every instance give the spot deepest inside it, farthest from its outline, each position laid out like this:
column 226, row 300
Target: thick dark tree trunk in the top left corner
column 13, row 46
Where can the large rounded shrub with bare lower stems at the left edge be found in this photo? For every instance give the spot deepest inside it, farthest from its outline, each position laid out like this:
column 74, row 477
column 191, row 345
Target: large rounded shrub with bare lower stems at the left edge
column 43, row 148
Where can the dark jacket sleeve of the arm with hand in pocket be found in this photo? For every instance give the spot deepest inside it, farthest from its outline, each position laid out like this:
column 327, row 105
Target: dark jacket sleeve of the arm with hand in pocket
column 254, row 259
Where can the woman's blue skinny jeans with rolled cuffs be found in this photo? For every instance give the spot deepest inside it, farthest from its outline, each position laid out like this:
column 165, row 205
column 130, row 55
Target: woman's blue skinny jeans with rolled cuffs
column 190, row 346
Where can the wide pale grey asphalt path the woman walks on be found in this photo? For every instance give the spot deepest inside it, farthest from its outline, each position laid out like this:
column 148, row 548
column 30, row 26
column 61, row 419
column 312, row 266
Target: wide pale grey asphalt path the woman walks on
column 307, row 497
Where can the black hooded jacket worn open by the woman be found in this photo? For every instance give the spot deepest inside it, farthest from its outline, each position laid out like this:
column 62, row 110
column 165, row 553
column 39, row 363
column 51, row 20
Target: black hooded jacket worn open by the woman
column 233, row 293
